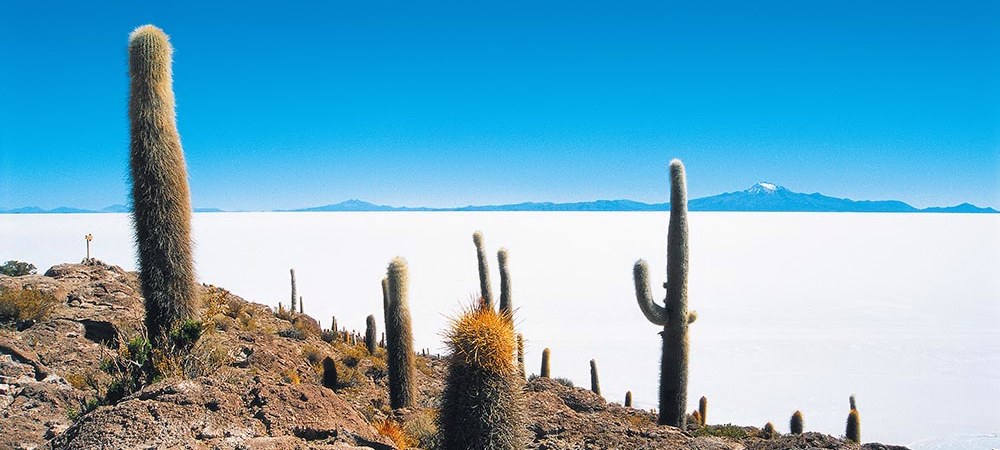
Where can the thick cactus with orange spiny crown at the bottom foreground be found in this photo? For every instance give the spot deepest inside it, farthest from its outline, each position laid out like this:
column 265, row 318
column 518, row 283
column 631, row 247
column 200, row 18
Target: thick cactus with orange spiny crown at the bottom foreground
column 481, row 406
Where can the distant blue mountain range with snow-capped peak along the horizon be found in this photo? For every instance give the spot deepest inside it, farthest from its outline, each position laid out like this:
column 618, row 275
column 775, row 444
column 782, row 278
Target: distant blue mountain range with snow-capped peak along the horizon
column 759, row 197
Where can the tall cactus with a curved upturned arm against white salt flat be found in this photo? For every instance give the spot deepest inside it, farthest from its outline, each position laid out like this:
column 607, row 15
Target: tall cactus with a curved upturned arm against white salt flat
column 673, row 316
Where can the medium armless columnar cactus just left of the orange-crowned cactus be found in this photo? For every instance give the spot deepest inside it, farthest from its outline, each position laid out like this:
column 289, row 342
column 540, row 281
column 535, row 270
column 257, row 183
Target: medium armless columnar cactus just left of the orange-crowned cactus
column 399, row 336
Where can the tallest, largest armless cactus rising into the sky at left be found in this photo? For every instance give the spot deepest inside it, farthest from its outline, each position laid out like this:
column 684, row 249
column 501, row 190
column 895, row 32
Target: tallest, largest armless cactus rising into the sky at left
column 161, row 200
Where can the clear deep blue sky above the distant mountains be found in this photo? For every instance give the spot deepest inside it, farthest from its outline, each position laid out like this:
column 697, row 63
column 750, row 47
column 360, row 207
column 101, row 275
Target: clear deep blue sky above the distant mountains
column 442, row 103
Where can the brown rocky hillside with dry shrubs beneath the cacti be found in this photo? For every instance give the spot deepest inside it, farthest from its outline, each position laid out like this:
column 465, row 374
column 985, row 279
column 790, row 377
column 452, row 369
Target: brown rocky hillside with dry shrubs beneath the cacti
column 253, row 382
